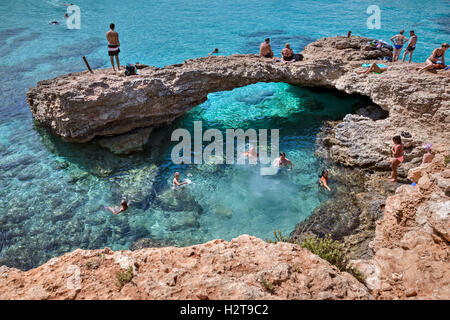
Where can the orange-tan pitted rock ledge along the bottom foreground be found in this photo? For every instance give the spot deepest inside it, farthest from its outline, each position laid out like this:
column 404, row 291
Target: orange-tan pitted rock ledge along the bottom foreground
column 214, row 270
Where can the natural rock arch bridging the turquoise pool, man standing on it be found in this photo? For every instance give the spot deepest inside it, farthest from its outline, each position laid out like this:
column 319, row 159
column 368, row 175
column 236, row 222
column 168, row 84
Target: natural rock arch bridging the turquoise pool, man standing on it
column 82, row 106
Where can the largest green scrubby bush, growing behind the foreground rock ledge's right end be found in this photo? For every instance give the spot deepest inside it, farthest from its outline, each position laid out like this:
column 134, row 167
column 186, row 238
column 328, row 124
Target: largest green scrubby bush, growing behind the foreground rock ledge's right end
column 326, row 248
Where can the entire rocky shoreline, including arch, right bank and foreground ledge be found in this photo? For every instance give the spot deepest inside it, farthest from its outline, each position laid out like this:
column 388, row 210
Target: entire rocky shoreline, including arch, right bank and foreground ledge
column 397, row 234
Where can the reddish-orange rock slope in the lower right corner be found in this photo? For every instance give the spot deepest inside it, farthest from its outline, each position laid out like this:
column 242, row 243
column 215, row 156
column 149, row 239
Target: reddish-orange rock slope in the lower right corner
column 411, row 245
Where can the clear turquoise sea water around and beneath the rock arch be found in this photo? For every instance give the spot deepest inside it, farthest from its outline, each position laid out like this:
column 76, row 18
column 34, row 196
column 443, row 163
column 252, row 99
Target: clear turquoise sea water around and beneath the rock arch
column 52, row 193
